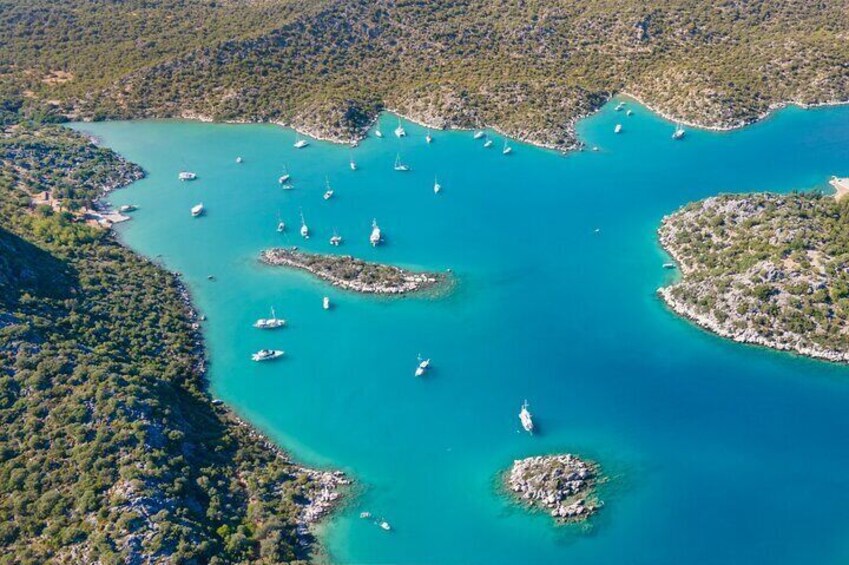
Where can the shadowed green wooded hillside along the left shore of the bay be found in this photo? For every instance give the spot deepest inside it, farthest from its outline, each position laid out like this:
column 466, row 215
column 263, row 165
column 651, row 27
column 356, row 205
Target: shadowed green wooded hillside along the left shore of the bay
column 112, row 449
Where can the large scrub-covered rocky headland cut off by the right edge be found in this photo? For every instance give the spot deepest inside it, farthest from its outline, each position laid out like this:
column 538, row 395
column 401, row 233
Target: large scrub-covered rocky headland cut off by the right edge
column 766, row 269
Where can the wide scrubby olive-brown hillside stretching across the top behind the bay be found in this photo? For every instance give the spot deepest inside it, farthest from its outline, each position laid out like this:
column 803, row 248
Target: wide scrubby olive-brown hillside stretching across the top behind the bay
column 527, row 67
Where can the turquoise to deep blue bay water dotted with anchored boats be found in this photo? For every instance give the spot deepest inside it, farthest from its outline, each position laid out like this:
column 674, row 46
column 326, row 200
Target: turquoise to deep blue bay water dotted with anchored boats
column 717, row 452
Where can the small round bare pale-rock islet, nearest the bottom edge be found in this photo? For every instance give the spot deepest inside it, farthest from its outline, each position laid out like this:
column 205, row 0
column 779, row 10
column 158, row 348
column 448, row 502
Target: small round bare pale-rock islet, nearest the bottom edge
column 563, row 485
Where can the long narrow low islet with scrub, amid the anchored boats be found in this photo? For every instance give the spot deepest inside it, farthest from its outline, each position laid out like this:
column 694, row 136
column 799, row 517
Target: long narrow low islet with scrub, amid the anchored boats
column 350, row 273
